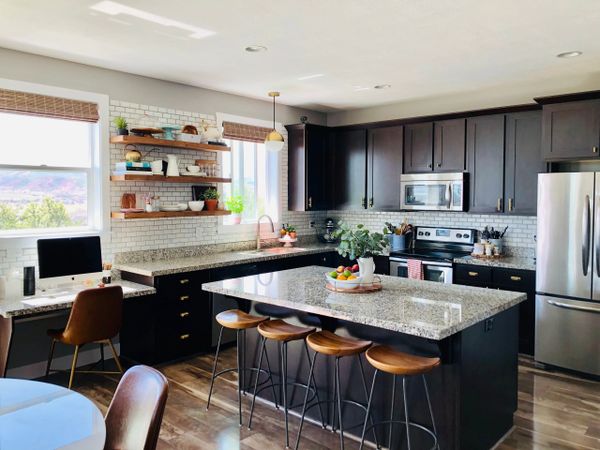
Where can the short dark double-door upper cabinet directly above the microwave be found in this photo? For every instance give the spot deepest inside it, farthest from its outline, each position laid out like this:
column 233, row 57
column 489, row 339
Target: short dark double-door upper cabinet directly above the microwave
column 435, row 146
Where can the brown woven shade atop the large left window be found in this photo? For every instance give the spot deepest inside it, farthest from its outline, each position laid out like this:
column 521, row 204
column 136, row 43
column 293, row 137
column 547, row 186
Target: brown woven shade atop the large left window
column 17, row 102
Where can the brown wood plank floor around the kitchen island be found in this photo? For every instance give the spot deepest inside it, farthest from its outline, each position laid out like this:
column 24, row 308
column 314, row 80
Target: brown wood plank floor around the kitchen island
column 556, row 411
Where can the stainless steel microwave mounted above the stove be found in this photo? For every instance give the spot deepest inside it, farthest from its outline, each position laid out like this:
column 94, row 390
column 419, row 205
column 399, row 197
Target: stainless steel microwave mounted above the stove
column 434, row 191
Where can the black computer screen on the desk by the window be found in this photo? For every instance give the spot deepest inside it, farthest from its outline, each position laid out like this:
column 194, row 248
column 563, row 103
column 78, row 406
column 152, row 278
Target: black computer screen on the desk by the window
column 69, row 256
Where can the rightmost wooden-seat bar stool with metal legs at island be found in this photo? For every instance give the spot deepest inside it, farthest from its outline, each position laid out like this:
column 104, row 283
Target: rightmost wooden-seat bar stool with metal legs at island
column 384, row 358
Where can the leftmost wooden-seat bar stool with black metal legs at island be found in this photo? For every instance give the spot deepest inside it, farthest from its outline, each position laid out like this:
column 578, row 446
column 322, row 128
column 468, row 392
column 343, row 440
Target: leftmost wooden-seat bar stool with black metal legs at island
column 240, row 321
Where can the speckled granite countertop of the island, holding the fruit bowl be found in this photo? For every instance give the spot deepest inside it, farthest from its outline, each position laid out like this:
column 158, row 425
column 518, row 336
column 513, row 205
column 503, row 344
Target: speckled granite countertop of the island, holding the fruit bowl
column 419, row 308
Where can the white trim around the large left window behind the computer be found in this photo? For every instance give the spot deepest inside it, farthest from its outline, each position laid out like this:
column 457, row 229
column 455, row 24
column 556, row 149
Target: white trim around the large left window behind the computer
column 99, row 183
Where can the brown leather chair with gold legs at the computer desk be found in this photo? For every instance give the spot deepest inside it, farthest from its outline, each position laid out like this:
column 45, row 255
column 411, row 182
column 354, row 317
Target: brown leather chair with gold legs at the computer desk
column 96, row 317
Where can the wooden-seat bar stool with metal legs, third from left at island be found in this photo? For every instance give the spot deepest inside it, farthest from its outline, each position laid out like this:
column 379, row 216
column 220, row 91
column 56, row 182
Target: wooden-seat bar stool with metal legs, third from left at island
column 330, row 344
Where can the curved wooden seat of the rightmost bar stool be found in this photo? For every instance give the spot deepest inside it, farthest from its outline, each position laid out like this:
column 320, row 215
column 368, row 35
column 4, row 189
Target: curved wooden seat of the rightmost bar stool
column 386, row 359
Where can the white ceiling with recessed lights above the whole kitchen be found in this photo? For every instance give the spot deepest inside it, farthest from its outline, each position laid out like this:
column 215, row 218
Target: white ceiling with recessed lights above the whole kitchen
column 423, row 48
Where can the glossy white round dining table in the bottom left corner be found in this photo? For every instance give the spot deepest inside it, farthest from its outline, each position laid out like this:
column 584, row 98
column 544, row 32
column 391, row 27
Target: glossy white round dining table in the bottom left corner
column 40, row 416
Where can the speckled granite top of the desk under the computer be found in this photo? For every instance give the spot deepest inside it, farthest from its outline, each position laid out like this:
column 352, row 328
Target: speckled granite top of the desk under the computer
column 14, row 306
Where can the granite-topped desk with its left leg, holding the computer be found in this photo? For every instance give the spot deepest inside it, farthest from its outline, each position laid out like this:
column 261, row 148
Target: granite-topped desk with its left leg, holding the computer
column 16, row 306
